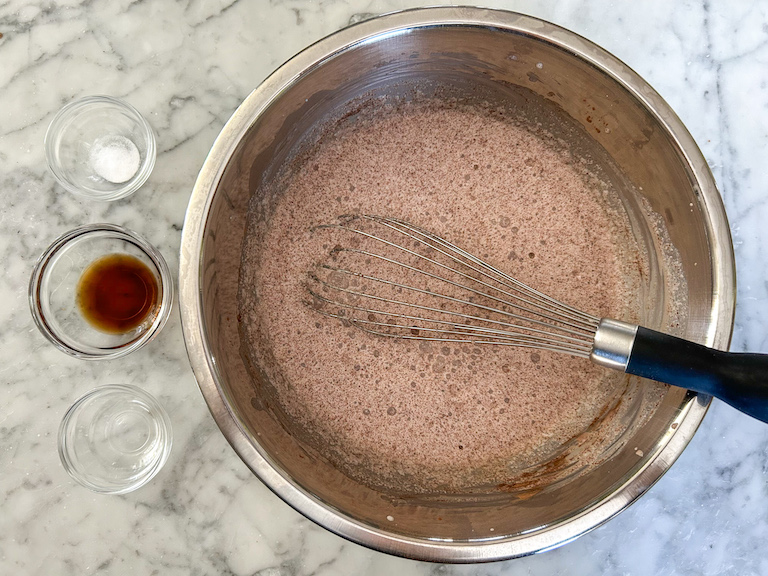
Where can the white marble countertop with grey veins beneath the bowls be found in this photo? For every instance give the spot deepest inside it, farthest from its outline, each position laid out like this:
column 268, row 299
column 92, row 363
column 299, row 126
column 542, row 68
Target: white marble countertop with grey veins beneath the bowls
column 187, row 65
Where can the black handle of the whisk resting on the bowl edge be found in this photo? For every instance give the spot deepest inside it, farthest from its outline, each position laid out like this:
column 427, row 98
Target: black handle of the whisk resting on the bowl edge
column 739, row 379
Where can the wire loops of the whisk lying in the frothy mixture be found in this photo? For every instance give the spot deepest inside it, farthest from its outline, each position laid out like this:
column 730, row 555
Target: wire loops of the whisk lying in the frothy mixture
column 481, row 306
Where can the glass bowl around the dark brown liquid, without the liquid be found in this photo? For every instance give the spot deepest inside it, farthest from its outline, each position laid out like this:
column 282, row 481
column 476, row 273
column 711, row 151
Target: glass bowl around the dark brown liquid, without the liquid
column 53, row 292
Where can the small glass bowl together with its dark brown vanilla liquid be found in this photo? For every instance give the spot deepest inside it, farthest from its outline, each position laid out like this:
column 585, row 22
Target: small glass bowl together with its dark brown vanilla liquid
column 100, row 291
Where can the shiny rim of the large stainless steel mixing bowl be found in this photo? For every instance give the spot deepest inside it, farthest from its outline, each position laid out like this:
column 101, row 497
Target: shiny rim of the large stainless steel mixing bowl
column 201, row 358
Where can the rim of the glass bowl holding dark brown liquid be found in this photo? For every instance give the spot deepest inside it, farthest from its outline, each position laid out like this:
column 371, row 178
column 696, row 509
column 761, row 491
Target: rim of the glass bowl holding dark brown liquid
column 38, row 273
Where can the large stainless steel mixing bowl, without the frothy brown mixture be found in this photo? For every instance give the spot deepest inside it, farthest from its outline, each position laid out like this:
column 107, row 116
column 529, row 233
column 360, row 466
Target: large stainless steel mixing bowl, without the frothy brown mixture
column 463, row 47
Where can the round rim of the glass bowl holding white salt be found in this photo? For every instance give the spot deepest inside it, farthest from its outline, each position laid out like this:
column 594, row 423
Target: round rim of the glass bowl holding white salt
column 121, row 190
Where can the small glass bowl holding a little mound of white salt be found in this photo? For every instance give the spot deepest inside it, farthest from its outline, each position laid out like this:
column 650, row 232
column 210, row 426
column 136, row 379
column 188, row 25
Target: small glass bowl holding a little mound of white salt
column 84, row 126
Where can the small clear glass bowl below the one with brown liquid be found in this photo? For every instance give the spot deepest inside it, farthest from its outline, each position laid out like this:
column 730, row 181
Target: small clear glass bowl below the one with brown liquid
column 115, row 439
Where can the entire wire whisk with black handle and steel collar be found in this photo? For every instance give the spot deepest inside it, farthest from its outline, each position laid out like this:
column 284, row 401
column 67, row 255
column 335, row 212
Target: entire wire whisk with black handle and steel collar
column 394, row 279
